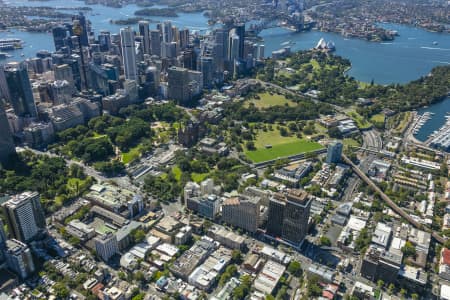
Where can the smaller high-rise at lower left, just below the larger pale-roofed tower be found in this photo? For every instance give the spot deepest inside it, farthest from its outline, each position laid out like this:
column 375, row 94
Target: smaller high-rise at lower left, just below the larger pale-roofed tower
column 18, row 258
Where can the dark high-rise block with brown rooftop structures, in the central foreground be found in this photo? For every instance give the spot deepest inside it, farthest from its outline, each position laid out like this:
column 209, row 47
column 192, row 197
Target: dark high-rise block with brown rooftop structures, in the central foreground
column 289, row 215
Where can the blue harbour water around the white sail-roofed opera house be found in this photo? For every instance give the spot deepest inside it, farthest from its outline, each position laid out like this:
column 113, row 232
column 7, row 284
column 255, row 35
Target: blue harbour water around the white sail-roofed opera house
column 409, row 56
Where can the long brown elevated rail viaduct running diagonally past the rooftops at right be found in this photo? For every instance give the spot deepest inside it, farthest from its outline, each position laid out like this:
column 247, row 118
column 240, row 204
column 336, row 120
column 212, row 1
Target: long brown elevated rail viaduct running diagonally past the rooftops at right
column 391, row 203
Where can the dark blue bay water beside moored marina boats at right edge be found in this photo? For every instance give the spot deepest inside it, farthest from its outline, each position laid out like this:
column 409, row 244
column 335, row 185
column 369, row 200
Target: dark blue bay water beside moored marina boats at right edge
column 438, row 113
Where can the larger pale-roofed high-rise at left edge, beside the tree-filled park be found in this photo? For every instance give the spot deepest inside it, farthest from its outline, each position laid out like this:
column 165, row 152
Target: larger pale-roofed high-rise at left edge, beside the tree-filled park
column 25, row 216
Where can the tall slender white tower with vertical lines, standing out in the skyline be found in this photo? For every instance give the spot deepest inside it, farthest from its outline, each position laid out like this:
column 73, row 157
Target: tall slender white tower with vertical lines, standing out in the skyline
column 128, row 53
